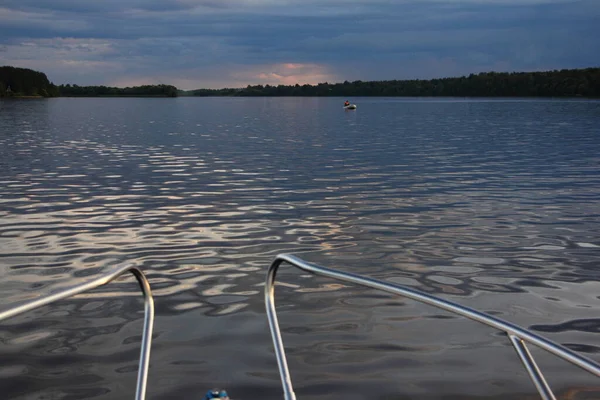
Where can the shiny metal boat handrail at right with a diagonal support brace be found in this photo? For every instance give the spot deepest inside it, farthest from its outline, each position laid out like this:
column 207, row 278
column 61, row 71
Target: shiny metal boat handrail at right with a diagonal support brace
column 517, row 335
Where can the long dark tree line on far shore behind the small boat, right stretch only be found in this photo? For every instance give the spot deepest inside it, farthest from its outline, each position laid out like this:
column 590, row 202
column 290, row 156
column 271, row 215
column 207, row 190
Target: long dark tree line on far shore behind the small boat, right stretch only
column 557, row 83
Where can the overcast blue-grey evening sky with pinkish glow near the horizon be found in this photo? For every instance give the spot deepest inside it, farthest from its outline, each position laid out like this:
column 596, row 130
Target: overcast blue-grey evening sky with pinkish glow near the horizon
column 231, row 43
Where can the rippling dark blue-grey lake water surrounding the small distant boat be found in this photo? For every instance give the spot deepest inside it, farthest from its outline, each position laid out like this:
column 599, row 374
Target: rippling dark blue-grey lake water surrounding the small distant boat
column 494, row 204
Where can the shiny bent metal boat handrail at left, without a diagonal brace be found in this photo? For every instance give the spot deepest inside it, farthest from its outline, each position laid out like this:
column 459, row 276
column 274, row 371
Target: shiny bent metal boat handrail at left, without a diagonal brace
column 104, row 279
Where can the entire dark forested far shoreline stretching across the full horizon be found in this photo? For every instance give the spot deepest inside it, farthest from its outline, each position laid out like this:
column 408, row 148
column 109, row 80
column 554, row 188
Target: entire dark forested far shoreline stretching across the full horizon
column 23, row 82
